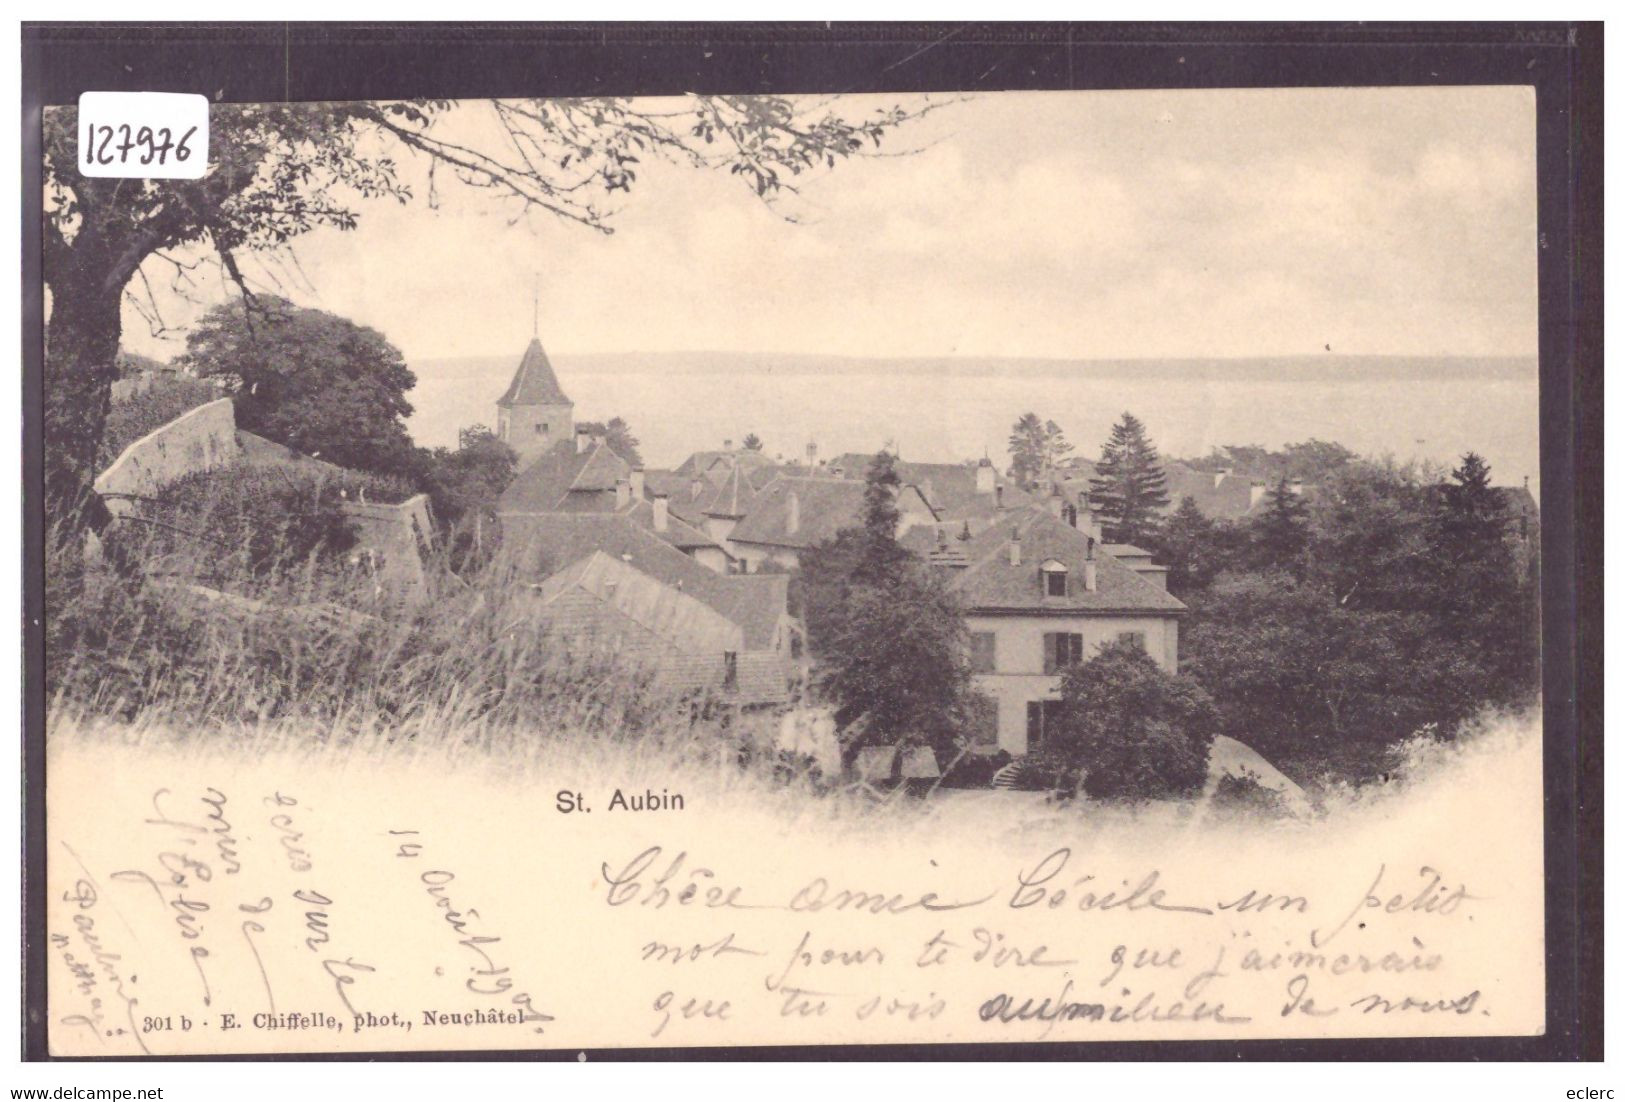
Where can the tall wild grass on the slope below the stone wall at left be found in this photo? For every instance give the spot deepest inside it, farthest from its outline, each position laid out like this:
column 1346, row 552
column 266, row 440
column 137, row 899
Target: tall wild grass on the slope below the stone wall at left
column 212, row 644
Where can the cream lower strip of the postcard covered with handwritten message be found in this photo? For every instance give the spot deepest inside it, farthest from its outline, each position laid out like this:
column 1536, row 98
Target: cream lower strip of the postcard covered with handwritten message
column 206, row 908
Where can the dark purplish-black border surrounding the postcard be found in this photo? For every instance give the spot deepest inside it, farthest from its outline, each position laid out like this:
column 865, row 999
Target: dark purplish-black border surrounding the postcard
column 262, row 63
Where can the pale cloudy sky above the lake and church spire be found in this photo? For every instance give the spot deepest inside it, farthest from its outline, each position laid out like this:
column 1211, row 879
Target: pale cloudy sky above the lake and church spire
column 1067, row 225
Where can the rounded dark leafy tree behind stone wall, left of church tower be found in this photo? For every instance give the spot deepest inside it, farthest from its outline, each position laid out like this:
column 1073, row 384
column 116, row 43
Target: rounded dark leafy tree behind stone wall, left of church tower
column 314, row 381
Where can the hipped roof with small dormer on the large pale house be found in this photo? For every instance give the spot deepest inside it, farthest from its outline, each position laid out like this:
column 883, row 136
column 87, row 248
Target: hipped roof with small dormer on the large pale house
column 992, row 584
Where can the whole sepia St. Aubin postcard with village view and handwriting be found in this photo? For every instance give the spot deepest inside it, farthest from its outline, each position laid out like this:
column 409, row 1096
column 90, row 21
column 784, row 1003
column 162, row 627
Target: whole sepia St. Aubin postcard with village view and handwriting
column 730, row 571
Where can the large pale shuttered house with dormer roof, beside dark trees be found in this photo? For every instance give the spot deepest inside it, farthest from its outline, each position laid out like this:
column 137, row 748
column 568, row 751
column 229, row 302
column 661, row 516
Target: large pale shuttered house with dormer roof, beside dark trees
column 1042, row 596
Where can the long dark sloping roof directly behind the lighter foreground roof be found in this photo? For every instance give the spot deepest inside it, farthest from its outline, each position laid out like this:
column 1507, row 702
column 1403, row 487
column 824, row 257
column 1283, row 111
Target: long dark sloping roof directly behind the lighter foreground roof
column 544, row 544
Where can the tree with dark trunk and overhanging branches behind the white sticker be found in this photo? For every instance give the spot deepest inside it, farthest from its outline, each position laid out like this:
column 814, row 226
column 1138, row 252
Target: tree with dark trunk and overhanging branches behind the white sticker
column 279, row 171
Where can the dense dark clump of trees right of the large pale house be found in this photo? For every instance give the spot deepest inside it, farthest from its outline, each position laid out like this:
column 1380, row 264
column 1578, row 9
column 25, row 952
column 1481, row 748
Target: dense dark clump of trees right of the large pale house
column 1403, row 609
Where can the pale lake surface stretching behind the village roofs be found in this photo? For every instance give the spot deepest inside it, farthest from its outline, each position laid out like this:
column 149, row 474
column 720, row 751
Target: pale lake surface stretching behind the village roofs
column 963, row 409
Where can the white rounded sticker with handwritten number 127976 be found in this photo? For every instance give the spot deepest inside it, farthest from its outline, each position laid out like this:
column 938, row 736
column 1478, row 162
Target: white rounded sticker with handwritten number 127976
column 144, row 136
